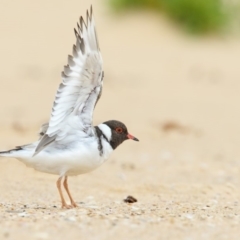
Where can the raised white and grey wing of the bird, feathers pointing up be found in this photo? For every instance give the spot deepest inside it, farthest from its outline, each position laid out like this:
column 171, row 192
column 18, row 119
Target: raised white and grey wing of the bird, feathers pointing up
column 80, row 89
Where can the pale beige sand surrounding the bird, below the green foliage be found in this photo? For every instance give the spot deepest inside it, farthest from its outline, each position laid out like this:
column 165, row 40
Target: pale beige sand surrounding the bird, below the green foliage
column 178, row 94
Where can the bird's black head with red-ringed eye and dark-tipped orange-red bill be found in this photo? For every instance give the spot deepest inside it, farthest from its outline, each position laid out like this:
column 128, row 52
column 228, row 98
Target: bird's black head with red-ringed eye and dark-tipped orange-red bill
column 119, row 133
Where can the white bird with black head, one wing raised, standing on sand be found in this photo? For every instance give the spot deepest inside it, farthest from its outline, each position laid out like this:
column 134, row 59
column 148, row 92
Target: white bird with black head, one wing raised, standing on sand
column 69, row 144
